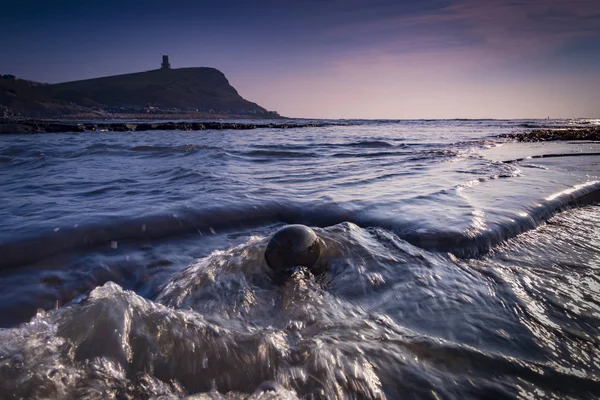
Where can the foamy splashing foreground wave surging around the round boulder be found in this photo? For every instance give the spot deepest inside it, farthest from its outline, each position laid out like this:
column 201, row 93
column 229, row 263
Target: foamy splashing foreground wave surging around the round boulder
column 384, row 310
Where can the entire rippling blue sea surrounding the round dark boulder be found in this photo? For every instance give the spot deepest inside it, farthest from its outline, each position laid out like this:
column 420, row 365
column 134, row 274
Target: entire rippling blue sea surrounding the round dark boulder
column 458, row 264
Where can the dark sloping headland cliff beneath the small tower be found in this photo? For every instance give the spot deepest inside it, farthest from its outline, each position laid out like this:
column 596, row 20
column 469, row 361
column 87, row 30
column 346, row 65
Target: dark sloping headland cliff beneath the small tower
column 166, row 90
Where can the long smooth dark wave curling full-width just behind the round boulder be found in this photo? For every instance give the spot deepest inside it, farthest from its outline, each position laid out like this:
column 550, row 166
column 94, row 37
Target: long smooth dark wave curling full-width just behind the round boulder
column 153, row 227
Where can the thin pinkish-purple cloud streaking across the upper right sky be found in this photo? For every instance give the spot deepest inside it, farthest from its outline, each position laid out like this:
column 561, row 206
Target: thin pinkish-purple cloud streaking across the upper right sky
column 513, row 28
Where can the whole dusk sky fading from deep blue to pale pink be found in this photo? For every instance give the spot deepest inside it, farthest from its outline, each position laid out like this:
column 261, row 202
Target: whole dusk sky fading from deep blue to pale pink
column 331, row 58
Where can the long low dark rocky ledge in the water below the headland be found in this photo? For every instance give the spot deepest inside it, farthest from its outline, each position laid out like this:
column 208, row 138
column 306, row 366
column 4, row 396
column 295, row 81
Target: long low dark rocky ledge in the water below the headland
column 9, row 126
